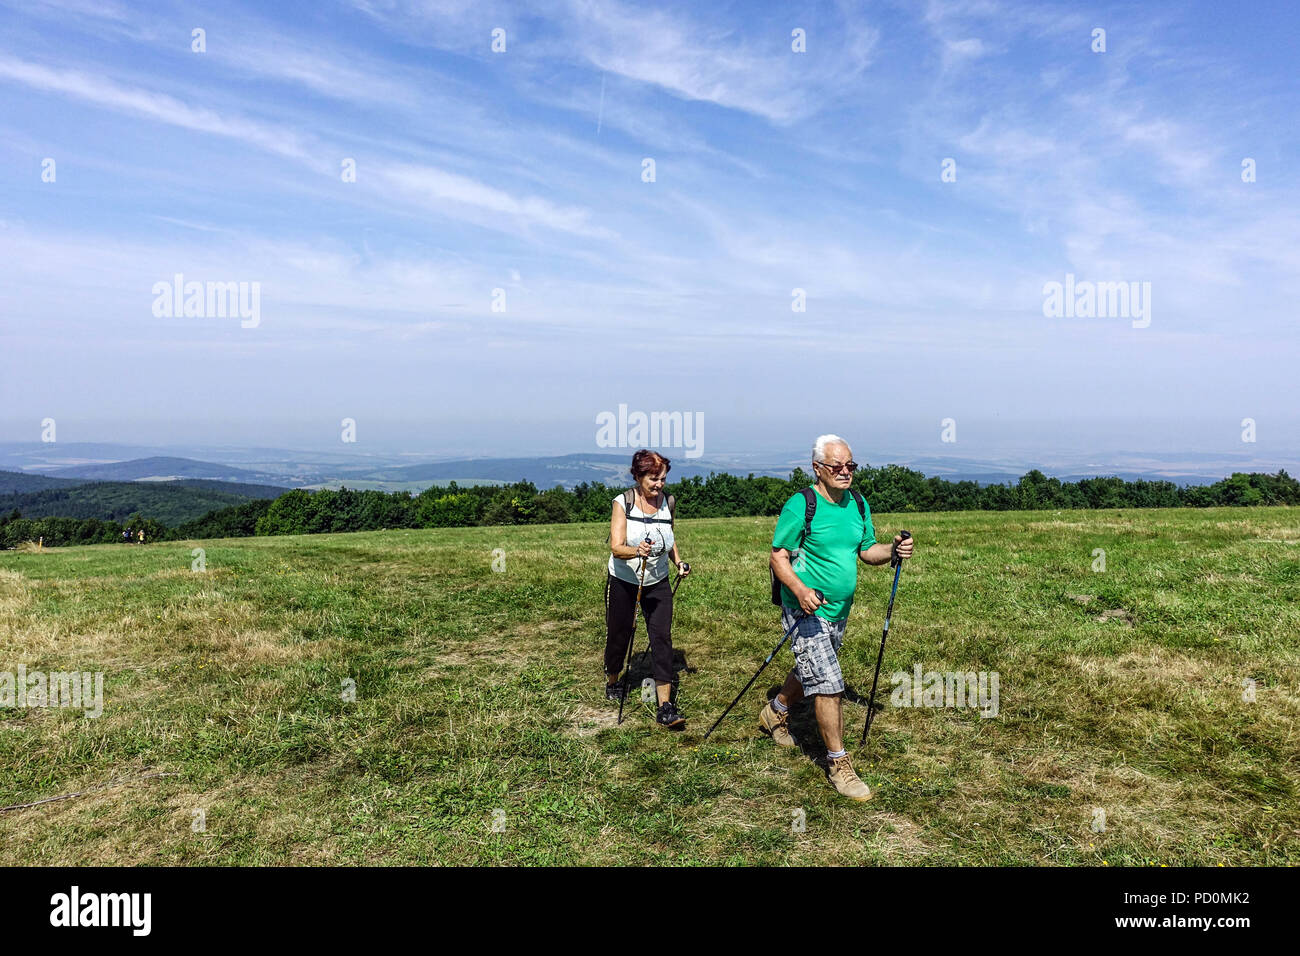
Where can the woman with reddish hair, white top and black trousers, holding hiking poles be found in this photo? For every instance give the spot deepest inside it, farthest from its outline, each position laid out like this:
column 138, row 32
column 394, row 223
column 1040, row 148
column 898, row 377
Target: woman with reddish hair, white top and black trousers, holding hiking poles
column 642, row 546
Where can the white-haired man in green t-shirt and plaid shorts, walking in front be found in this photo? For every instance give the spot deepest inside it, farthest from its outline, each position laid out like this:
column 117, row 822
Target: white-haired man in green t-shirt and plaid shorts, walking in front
column 827, row 530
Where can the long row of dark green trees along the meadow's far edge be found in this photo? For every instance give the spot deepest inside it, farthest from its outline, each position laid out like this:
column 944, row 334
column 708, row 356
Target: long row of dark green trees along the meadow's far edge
column 890, row 490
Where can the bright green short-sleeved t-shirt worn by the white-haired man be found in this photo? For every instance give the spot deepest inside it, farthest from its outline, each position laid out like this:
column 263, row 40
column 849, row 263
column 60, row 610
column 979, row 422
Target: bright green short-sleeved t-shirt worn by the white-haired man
column 830, row 557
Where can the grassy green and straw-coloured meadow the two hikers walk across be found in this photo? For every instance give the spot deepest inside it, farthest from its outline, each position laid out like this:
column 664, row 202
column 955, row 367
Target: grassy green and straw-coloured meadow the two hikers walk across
column 1125, row 691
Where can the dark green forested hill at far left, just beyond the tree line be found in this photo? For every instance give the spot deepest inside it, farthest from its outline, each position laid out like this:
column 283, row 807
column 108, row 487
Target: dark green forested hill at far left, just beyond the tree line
column 171, row 503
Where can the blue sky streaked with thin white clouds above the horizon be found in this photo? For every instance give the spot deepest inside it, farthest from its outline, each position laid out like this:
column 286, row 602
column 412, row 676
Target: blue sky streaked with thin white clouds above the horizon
column 522, row 171
